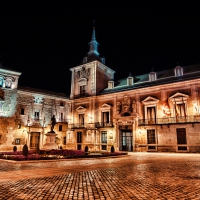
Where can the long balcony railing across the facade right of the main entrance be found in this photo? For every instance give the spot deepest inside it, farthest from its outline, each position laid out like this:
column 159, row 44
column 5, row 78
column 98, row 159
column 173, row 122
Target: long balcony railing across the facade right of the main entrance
column 170, row 120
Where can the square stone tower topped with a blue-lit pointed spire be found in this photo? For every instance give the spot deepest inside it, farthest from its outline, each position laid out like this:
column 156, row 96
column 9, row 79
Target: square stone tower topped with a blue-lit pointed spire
column 92, row 75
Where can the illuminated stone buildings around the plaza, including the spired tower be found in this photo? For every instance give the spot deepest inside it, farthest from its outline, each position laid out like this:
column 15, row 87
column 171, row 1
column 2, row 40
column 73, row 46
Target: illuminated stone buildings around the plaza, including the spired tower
column 158, row 111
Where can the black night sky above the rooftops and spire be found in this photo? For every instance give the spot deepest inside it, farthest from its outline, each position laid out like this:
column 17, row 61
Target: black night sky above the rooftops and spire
column 45, row 41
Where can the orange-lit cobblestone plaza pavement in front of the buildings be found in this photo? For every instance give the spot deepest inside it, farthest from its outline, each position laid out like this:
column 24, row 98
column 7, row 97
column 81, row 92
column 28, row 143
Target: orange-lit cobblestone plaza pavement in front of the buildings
column 136, row 176
